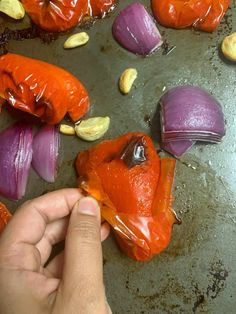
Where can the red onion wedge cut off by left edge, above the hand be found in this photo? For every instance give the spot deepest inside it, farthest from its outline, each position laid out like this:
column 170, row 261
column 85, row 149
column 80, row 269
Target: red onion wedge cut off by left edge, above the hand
column 15, row 159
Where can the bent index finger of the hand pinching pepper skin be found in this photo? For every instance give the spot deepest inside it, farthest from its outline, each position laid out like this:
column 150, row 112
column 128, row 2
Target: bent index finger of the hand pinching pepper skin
column 29, row 222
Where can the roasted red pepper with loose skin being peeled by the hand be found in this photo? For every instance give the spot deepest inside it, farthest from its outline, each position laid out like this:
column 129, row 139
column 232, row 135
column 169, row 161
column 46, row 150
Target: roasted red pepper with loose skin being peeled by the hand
column 133, row 186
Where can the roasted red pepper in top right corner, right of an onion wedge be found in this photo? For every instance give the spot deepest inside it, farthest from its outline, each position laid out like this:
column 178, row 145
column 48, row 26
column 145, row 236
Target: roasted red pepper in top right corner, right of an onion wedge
column 204, row 15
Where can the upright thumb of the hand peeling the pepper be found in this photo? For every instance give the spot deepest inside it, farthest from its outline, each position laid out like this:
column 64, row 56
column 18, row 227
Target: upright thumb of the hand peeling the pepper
column 83, row 273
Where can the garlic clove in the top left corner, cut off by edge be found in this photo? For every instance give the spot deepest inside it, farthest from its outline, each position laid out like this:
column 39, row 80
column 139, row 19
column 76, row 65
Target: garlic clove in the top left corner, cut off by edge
column 12, row 8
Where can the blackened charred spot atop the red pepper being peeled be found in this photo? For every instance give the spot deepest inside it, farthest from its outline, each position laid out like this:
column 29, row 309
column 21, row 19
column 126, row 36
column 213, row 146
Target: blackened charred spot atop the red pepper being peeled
column 134, row 153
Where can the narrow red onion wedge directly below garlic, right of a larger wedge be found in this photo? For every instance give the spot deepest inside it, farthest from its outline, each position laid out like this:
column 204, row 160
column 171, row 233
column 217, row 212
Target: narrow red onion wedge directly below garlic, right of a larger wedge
column 45, row 153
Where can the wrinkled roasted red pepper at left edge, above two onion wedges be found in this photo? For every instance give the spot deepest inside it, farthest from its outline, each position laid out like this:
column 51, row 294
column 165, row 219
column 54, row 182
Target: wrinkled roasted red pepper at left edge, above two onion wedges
column 41, row 89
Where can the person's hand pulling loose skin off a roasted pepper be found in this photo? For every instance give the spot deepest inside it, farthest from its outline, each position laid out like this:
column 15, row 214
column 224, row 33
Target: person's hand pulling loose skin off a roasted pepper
column 73, row 281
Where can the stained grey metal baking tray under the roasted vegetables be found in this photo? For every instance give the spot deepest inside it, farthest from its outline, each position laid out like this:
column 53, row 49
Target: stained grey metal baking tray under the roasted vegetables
column 197, row 273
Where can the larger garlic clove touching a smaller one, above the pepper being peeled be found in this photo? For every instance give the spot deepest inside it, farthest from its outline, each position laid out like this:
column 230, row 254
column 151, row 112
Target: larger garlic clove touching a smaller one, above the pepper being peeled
column 92, row 129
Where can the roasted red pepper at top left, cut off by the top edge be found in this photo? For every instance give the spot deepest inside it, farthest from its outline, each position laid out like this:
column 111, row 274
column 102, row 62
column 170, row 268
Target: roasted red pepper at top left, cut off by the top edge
column 58, row 15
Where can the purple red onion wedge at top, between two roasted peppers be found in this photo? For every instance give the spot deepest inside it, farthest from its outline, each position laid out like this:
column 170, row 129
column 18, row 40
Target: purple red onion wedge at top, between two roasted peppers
column 135, row 30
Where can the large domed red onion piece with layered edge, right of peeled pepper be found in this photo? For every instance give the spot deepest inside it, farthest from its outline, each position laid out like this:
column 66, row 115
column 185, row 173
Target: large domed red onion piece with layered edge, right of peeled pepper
column 189, row 114
